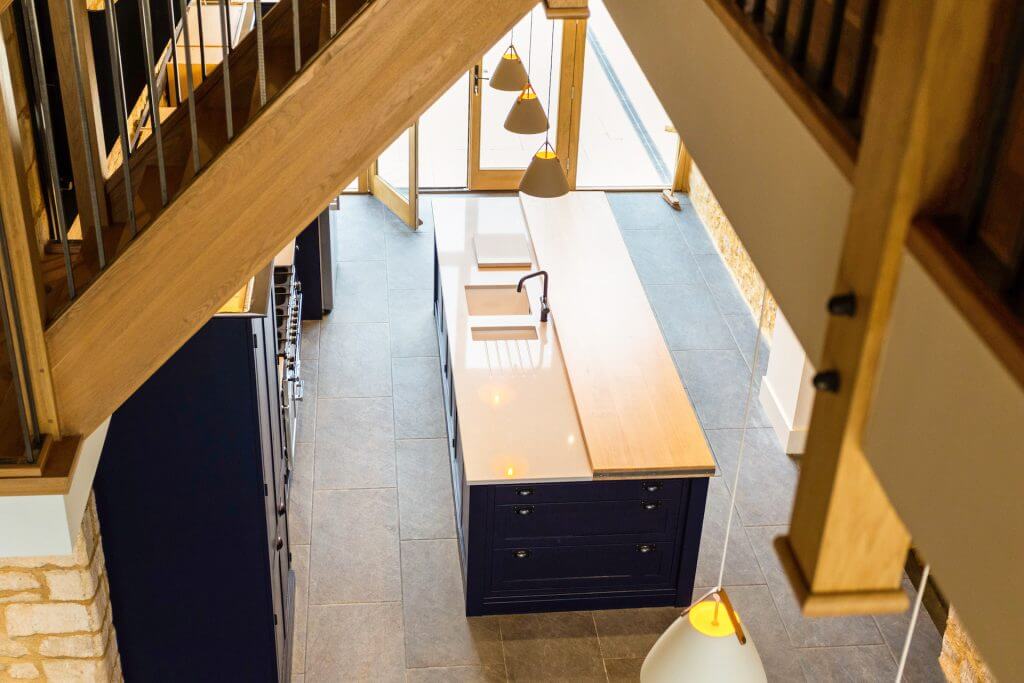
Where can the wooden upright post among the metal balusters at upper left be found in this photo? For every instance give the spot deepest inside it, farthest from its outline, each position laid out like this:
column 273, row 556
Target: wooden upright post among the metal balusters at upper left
column 82, row 116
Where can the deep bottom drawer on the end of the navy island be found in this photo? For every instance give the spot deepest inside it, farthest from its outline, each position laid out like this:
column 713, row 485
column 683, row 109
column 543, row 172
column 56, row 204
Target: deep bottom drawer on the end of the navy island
column 575, row 568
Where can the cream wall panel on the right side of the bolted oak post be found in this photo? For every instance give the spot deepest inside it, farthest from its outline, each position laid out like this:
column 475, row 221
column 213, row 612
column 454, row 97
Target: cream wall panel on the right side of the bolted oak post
column 946, row 437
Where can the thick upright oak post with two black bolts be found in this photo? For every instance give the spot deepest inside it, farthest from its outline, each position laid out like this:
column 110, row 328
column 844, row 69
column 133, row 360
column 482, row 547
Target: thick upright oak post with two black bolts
column 848, row 542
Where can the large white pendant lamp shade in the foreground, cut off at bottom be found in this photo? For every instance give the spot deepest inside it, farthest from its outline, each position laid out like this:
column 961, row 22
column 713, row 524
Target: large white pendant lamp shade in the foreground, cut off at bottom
column 705, row 647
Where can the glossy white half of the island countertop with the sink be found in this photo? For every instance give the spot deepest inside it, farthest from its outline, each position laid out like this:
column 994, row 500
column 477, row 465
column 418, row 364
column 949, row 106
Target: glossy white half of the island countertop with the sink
column 517, row 413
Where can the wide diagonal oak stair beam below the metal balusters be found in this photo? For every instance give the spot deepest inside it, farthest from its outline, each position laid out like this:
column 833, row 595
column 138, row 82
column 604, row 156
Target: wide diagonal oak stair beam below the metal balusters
column 203, row 247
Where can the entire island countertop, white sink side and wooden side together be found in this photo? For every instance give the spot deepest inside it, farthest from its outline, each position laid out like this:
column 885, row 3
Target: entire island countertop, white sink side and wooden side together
column 616, row 407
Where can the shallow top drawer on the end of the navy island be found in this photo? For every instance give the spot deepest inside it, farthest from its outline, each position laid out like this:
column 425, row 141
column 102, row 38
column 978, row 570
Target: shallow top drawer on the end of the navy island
column 590, row 491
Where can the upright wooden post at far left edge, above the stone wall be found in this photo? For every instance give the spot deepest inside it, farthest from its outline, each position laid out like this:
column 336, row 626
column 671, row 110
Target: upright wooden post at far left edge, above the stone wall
column 20, row 235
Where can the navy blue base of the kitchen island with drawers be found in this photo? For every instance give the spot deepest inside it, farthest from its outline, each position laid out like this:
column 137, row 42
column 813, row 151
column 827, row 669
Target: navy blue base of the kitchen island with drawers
column 580, row 545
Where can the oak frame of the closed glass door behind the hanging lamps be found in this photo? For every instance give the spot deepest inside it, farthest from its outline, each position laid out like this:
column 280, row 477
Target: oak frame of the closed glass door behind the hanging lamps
column 567, row 127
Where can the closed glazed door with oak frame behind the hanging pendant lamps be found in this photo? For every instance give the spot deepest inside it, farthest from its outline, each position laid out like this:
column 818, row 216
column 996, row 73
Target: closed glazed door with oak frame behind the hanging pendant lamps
column 498, row 158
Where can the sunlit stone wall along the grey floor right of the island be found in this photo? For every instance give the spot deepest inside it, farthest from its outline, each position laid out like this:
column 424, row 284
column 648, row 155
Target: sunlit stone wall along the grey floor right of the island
column 736, row 258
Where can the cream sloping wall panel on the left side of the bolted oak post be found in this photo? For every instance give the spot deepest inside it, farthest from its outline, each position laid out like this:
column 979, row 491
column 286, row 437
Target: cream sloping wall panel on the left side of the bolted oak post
column 784, row 195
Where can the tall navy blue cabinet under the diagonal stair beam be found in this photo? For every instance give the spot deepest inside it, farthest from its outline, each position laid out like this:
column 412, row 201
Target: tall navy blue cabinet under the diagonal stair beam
column 192, row 493
